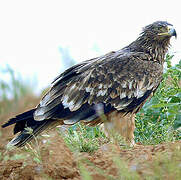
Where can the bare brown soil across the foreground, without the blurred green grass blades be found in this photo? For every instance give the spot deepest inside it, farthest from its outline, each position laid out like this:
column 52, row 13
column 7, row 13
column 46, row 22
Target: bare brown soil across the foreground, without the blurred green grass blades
column 58, row 162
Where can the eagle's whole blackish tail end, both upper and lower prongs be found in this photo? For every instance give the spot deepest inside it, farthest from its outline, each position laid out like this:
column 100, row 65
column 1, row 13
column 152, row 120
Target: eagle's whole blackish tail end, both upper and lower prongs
column 27, row 126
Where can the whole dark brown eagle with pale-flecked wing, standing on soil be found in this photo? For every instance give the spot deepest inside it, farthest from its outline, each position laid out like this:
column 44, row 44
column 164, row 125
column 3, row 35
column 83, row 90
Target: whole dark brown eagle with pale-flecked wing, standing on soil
column 107, row 90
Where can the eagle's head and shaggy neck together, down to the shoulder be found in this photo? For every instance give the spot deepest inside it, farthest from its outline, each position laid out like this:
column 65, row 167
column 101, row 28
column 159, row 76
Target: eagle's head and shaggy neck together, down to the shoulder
column 154, row 40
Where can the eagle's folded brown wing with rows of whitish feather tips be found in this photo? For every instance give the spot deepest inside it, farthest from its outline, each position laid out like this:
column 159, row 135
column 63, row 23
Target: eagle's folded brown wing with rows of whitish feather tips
column 120, row 80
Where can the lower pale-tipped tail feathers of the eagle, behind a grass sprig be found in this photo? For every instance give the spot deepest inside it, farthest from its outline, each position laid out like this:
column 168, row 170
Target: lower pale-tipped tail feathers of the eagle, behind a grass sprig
column 28, row 134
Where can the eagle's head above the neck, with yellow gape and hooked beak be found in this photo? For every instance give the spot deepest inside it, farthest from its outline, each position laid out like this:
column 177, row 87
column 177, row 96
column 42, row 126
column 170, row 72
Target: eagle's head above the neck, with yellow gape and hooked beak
column 159, row 31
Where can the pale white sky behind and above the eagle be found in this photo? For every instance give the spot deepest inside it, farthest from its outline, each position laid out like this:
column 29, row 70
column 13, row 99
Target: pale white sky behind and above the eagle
column 40, row 38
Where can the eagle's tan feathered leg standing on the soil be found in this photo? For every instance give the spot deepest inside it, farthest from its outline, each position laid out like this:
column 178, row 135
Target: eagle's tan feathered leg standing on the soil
column 117, row 123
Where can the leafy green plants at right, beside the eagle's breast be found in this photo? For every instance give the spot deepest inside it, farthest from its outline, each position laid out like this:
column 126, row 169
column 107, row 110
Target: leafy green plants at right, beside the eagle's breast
column 160, row 118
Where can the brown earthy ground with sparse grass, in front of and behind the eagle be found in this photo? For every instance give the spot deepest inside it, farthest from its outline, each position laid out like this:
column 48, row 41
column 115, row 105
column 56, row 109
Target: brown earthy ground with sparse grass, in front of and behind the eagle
column 50, row 158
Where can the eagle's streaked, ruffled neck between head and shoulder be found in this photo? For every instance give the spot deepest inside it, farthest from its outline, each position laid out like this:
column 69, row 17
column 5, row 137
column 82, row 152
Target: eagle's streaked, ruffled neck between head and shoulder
column 156, row 50
